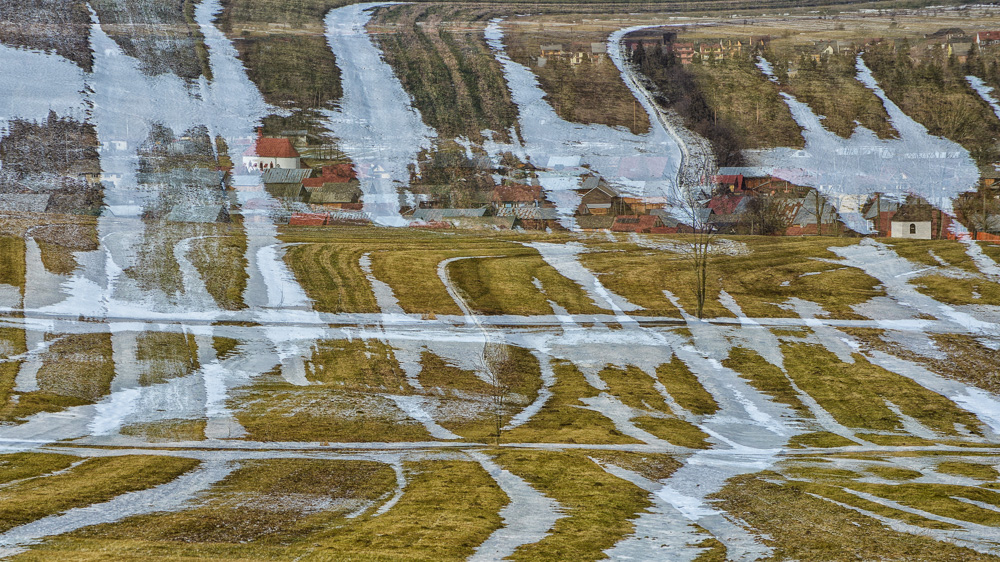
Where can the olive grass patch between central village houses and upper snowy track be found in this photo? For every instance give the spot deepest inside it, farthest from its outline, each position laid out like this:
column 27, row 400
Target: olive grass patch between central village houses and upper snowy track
column 327, row 266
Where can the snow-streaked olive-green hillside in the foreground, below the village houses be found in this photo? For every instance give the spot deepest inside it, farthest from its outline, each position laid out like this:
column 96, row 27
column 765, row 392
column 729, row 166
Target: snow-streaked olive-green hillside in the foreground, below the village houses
column 461, row 374
